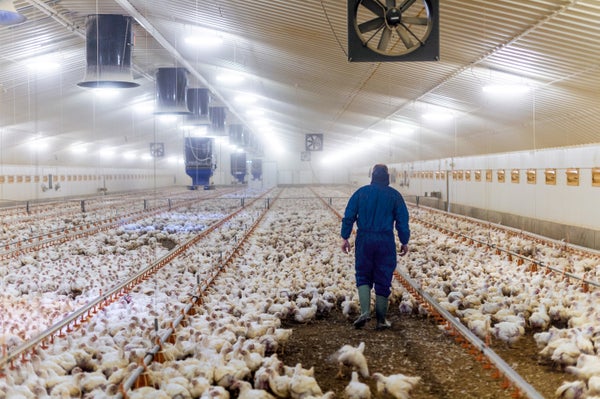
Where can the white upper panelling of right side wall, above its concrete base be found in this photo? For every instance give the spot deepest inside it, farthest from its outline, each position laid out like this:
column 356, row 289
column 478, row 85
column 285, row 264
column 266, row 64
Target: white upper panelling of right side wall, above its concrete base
column 560, row 203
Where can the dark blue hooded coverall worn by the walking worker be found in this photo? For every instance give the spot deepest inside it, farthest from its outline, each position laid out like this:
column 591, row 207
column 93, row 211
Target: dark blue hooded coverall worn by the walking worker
column 376, row 208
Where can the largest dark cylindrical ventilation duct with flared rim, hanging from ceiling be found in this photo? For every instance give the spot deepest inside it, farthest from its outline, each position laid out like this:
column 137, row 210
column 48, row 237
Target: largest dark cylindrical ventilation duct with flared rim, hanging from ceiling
column 108, row 52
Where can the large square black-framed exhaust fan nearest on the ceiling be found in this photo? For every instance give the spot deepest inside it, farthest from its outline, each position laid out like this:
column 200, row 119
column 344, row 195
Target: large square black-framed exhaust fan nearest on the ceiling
column 393, row 30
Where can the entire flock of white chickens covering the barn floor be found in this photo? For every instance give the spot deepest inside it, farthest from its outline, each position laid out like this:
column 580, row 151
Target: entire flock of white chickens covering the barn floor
column 291, row 268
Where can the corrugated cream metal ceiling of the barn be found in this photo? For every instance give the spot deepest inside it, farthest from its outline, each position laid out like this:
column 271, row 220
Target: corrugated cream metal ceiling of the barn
column 294, row 55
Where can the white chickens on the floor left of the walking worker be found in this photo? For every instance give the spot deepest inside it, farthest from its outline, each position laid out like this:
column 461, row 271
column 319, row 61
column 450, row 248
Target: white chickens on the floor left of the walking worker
column 229, row 345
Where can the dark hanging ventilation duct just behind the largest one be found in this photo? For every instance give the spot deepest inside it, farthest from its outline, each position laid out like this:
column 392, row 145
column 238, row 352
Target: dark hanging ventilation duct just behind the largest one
column 171, row 91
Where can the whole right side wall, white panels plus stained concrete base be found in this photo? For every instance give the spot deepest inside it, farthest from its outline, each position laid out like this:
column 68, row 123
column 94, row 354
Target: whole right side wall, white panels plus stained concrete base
column 562, row 209
